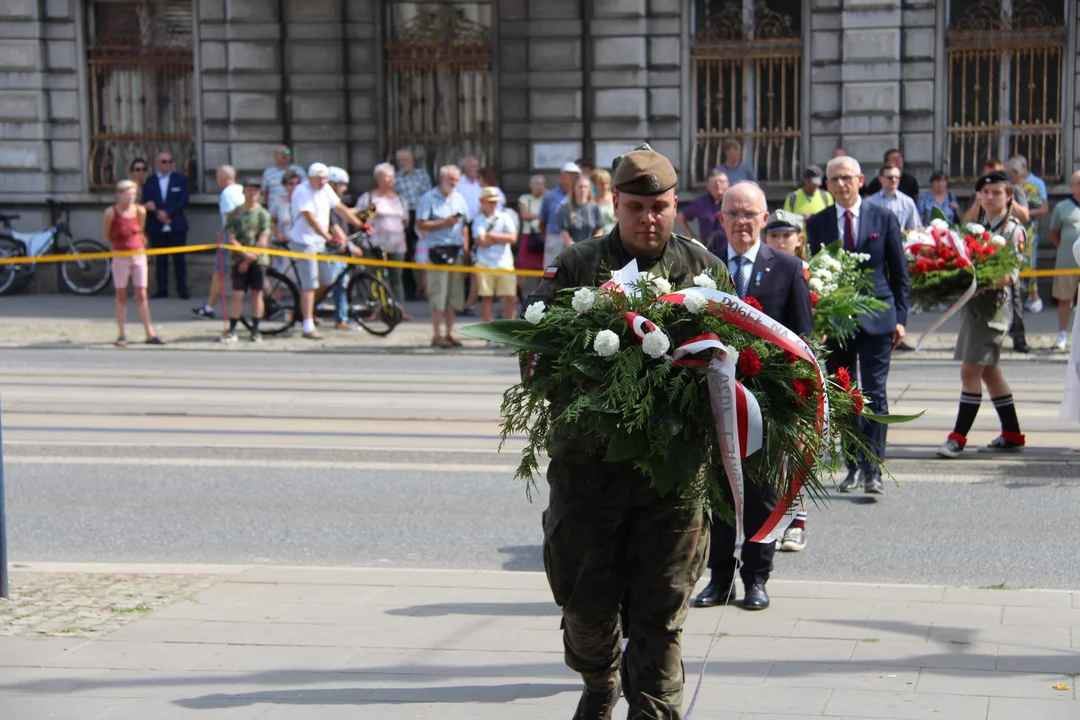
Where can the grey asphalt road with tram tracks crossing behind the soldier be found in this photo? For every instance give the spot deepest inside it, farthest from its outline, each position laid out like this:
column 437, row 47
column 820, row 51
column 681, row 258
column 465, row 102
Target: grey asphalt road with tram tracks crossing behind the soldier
column 390, row 460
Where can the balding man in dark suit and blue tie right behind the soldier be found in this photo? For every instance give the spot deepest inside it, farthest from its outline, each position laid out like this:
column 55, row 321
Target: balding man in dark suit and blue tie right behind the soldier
column 776, row 280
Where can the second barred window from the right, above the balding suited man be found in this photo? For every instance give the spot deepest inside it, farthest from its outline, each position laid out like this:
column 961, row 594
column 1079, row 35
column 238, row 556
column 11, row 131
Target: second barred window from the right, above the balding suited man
column 747, row 76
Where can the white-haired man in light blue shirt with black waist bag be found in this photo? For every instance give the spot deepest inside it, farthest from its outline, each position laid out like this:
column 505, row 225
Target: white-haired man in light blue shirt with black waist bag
column 441, row 219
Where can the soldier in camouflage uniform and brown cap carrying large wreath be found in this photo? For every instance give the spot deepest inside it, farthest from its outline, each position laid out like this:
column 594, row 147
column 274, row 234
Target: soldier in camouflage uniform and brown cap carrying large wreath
column 611, row 540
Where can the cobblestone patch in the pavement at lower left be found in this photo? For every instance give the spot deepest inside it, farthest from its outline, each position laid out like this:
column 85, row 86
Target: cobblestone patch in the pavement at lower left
column 89, row 605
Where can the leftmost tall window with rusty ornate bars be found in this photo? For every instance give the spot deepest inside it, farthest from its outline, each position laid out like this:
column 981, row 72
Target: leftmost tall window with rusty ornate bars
column 141, row 86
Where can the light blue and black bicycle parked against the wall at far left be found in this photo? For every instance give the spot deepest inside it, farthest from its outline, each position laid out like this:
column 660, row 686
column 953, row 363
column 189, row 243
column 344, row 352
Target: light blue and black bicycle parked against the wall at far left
column 80, row 276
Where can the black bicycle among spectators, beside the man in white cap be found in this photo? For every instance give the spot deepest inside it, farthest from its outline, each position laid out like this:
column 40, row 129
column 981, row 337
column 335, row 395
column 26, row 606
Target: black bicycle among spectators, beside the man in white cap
column 372, row 305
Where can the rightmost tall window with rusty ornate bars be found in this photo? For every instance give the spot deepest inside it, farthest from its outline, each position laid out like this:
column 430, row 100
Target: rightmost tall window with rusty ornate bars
column 1006, row 85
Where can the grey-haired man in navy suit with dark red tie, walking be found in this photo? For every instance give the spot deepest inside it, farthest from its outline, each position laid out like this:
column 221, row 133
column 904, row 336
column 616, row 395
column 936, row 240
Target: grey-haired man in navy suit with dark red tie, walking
column 874, row 232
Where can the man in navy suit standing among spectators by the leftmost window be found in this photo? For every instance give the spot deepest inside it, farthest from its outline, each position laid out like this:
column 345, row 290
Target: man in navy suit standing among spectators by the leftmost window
column 166, row 196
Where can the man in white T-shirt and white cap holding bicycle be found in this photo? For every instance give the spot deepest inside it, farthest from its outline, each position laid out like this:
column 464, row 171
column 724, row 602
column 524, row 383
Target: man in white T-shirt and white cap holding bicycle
column 313, row 205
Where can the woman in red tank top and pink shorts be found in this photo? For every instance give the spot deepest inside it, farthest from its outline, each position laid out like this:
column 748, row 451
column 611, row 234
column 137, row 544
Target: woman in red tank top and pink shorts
column 124, row 228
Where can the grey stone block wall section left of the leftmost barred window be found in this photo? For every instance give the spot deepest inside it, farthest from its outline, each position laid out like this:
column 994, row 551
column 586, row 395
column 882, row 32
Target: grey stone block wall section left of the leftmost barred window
column 40, row 150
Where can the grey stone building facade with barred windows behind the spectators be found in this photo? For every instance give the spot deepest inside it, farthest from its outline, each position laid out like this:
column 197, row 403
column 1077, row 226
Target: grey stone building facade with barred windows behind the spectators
column 87, row 86
